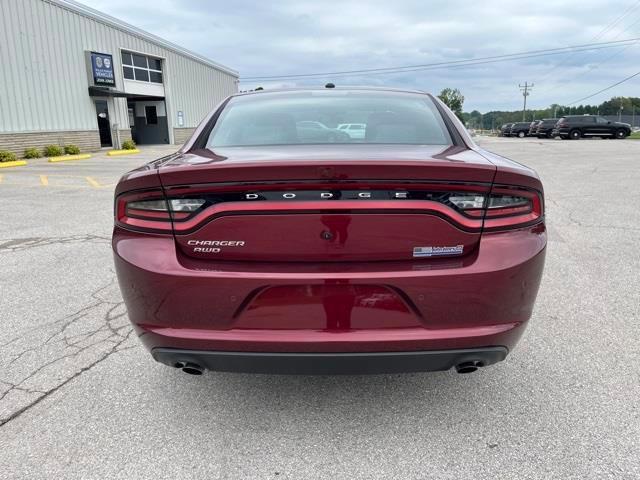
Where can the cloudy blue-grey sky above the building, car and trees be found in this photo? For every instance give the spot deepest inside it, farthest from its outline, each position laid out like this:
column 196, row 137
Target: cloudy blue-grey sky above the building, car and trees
column 300, row 36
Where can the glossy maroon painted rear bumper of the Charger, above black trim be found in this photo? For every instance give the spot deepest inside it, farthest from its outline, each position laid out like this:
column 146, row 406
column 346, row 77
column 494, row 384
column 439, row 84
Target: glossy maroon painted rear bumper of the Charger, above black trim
column 482, row 299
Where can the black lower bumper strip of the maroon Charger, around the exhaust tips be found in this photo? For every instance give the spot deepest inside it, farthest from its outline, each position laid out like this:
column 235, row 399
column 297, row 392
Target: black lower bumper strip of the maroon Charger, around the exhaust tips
column 330, row 363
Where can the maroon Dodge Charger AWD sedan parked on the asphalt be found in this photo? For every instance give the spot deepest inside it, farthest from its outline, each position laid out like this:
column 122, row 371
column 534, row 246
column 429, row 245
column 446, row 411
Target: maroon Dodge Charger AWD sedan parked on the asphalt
column 352, row 230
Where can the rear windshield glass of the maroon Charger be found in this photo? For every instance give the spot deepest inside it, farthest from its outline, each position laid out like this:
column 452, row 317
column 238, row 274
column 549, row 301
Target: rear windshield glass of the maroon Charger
column 315, row 117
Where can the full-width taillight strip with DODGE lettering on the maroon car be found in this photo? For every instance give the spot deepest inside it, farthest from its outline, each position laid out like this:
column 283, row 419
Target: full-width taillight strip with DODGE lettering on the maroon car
column 505, row 207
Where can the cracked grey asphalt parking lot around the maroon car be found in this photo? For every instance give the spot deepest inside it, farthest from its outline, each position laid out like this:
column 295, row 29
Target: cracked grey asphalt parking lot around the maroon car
column 80, row 398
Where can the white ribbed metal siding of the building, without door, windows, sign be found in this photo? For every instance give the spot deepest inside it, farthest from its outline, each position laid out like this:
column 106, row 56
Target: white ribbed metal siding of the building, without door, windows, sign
column 43, row 80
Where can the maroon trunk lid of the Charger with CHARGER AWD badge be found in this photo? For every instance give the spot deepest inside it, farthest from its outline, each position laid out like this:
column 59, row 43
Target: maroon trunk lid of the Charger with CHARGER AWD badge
column 312, row 204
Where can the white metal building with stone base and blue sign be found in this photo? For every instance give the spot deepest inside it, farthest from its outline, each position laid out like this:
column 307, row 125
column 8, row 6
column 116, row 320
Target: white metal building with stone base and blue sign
column 71, row 74
